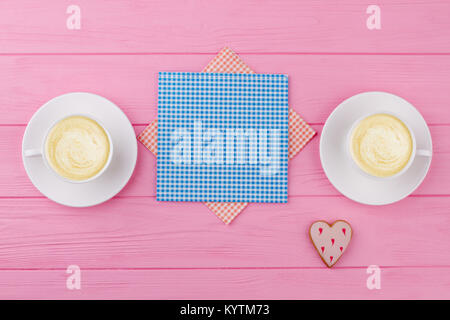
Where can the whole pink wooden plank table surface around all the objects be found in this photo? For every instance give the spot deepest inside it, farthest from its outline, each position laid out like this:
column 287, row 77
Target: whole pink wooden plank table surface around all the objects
column 135, row 247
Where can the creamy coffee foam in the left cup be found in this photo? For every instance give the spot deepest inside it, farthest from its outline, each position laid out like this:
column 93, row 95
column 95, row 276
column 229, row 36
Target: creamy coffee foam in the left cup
column 77, row 148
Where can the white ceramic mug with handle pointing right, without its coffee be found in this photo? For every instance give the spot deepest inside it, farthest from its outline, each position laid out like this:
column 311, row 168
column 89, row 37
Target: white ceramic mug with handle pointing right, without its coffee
column 415, row 151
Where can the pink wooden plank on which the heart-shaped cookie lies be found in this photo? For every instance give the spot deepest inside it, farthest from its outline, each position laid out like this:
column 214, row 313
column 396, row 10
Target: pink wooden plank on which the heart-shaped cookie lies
column 143, row 233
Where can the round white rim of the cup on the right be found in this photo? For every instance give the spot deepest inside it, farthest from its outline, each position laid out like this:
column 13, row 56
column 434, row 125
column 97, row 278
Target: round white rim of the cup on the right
column 411, row 132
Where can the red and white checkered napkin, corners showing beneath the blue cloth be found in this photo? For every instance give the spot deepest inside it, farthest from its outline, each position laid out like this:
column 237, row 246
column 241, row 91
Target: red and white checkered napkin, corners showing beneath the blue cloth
column 299, row 131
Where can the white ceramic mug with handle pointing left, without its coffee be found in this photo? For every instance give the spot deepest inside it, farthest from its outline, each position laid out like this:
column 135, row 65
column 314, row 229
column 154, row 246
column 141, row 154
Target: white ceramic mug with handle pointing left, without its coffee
column 40, row 152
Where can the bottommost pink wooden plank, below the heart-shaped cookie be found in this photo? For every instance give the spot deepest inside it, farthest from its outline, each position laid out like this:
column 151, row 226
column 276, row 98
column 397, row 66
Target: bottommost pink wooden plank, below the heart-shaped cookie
column 396, row 283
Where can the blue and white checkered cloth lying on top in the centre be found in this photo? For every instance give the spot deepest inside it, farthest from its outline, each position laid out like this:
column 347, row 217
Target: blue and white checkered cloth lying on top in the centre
column 217, row 137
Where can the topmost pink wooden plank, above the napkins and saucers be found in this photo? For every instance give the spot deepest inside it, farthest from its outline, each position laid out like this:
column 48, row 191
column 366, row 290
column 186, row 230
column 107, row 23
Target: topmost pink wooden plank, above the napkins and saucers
column 205, row 26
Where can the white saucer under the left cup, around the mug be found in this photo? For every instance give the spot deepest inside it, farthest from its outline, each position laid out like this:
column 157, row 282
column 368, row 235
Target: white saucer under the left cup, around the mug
column 116, row 175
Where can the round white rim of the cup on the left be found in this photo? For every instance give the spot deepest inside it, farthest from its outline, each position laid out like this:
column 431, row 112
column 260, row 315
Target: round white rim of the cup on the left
column 98, row 174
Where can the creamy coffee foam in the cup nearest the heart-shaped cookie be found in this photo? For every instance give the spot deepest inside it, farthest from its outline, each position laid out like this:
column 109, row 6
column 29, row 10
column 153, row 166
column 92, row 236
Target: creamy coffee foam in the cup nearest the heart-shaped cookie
column 381, row 145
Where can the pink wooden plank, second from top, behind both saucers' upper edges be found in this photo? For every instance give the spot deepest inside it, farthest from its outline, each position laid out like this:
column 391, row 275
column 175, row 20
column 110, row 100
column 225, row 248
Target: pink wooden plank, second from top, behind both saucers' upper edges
column 318, row 83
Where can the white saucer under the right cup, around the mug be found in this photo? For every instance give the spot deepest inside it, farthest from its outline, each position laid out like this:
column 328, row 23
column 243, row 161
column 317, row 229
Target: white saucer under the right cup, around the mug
column 338, row 167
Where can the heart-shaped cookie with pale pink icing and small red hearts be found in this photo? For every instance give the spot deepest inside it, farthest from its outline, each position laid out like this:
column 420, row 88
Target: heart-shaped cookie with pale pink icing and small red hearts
column 330, row 240
